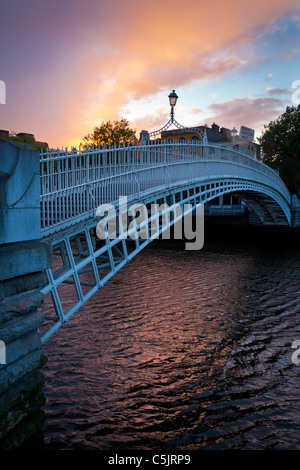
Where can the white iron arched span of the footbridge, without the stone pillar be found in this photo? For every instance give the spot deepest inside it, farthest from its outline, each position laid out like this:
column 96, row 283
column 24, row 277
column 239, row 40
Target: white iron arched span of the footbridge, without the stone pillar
column 75, row 182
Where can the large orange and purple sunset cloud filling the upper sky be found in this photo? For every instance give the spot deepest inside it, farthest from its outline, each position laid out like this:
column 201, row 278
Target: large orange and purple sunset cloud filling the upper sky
column 98, row 57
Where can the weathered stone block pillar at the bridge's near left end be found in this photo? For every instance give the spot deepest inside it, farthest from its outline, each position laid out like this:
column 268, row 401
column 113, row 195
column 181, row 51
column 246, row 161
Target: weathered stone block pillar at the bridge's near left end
column 23, row 259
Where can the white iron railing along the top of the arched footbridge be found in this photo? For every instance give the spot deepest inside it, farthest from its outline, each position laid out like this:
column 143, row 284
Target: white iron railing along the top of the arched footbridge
column 75, row 182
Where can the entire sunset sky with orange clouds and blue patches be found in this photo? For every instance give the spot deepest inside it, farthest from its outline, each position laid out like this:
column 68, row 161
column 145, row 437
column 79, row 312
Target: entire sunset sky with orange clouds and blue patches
column 69, row 65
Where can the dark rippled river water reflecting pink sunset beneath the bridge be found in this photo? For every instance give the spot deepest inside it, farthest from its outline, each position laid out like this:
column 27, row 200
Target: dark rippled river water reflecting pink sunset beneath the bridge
column 182, row 350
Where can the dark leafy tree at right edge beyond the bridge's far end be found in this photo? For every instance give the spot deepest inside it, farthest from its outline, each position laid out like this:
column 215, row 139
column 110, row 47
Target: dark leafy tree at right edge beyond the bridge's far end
column 280, row 143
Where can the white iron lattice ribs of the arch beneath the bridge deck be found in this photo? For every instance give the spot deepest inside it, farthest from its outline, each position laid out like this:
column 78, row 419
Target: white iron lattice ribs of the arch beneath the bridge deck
column 80, row 260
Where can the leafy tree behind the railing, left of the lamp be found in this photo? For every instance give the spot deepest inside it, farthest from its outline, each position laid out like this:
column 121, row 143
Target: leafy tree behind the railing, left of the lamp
column 108, row 133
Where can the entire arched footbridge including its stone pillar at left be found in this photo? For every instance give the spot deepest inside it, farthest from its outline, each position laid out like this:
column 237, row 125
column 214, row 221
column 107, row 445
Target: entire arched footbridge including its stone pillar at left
column 49, row 245
